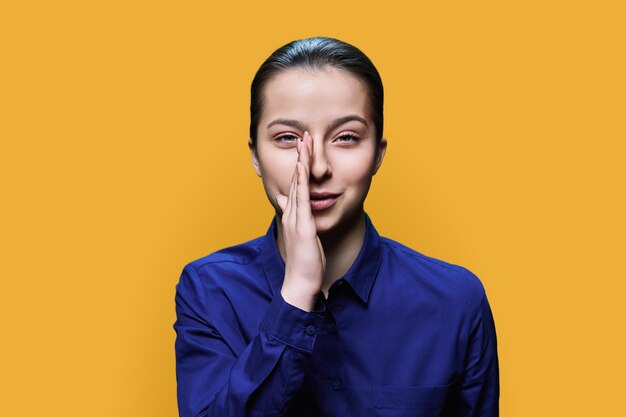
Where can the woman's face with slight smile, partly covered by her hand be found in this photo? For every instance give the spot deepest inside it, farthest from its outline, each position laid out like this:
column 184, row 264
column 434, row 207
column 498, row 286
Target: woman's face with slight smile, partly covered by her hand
column 333, row 106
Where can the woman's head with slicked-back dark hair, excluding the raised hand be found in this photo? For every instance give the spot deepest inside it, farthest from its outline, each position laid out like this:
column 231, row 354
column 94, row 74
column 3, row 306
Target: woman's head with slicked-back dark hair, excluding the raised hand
column 311, row 86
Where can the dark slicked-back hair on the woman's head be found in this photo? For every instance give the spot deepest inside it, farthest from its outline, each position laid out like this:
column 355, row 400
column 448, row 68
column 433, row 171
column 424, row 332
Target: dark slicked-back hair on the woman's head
column 316, row 53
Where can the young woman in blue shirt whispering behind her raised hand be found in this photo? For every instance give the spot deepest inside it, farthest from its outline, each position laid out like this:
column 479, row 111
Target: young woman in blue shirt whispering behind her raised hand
column 322, row 316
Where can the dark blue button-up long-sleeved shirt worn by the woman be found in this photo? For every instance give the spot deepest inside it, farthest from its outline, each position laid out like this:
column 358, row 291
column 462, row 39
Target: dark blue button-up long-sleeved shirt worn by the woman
column 401, row 334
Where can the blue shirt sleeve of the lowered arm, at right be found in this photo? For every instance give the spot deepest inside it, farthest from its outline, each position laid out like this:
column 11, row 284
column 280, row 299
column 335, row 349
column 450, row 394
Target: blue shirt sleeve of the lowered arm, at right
column 480, row 390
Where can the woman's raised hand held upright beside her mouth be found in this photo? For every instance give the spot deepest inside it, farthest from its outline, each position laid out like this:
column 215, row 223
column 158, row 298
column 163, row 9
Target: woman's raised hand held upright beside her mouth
column 305, row 260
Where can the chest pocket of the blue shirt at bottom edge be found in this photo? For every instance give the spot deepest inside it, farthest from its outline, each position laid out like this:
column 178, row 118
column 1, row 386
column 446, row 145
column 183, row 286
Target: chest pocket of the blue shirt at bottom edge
column 411, row 401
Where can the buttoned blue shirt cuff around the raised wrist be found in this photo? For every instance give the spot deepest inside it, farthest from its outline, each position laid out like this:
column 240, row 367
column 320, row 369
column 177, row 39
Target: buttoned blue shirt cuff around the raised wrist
column 292, row 325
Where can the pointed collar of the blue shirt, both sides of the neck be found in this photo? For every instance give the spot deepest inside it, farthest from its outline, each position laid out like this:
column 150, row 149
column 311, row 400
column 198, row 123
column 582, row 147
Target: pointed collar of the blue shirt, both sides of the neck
column 360, row 276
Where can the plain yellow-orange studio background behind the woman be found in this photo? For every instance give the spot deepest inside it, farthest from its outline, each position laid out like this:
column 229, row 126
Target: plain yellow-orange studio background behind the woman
column 123, row 156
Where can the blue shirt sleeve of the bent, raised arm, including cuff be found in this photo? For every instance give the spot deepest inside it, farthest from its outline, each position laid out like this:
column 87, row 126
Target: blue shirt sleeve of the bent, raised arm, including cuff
column 214, row 380
